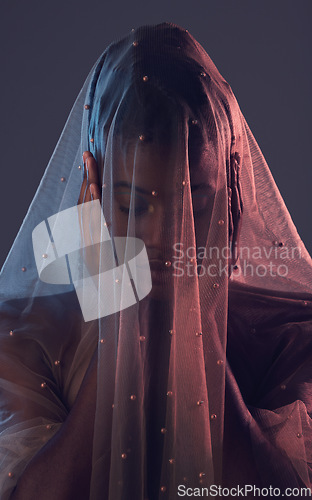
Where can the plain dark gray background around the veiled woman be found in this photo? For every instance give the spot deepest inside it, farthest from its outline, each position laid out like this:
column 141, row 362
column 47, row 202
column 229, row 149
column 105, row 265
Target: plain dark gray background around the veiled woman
column 263, row 49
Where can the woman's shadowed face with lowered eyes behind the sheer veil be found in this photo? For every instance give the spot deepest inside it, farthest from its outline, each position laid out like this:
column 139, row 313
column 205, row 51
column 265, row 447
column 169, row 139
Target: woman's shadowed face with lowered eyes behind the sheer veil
column 148, row 194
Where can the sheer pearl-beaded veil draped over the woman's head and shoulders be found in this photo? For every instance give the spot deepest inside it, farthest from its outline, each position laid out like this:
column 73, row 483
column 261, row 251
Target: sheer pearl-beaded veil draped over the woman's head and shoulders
column 204, row 379
